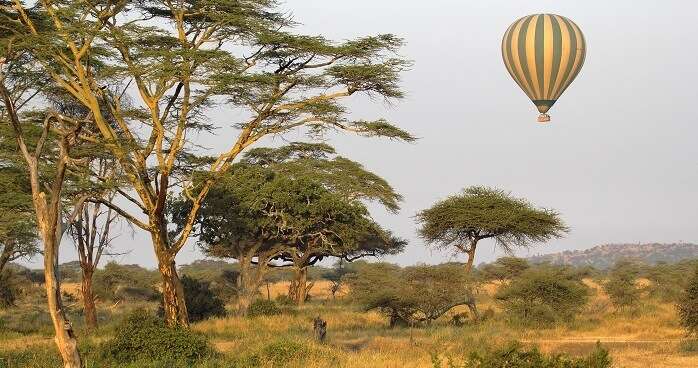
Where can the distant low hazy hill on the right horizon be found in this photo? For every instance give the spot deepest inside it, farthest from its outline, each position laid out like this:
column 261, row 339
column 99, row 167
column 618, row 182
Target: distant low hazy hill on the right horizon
column 605, row 256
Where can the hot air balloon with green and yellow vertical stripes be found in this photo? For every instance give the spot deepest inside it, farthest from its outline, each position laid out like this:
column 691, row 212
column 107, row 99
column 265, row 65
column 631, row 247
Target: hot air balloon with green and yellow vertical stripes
column 543, row 53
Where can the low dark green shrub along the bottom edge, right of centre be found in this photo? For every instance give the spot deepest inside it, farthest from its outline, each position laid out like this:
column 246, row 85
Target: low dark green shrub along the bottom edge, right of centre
column 516, row 356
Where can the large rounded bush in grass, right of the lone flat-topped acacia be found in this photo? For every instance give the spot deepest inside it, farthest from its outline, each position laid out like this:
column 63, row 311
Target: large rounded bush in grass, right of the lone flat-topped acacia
column 542, row 296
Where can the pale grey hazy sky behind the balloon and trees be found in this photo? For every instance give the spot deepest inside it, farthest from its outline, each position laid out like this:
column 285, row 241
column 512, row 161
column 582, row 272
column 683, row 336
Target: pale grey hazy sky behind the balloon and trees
column 619, row 160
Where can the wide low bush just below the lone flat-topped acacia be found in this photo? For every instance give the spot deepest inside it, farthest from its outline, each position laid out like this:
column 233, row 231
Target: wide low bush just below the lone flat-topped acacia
column 412, row 294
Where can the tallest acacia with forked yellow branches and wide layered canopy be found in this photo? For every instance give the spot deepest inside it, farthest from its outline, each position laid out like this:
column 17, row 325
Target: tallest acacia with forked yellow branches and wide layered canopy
column 183, row 60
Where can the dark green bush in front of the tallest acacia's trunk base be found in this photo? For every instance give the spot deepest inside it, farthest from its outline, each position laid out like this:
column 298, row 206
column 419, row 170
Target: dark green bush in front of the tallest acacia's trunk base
column 143, row 337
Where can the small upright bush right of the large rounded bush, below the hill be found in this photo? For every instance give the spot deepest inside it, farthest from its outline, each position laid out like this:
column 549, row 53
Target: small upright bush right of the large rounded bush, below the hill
column 621, row 288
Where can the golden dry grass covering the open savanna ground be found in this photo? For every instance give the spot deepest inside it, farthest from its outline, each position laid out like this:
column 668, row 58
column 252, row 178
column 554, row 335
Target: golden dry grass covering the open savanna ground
column 357, row 339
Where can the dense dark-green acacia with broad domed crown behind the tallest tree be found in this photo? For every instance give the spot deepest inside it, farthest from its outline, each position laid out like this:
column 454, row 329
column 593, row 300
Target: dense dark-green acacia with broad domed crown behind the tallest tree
column 279, row 211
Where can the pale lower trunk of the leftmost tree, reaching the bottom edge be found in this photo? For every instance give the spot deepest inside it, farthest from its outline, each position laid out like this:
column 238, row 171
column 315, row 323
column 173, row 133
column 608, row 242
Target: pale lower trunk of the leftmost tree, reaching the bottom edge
column 65, row 337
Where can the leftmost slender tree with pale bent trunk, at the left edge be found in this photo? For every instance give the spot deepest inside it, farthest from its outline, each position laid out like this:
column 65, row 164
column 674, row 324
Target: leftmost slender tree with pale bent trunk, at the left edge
column 42, row 141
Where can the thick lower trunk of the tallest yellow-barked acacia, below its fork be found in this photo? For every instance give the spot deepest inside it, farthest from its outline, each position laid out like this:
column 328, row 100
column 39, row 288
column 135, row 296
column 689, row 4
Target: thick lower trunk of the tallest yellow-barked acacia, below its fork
column 174, row 303
